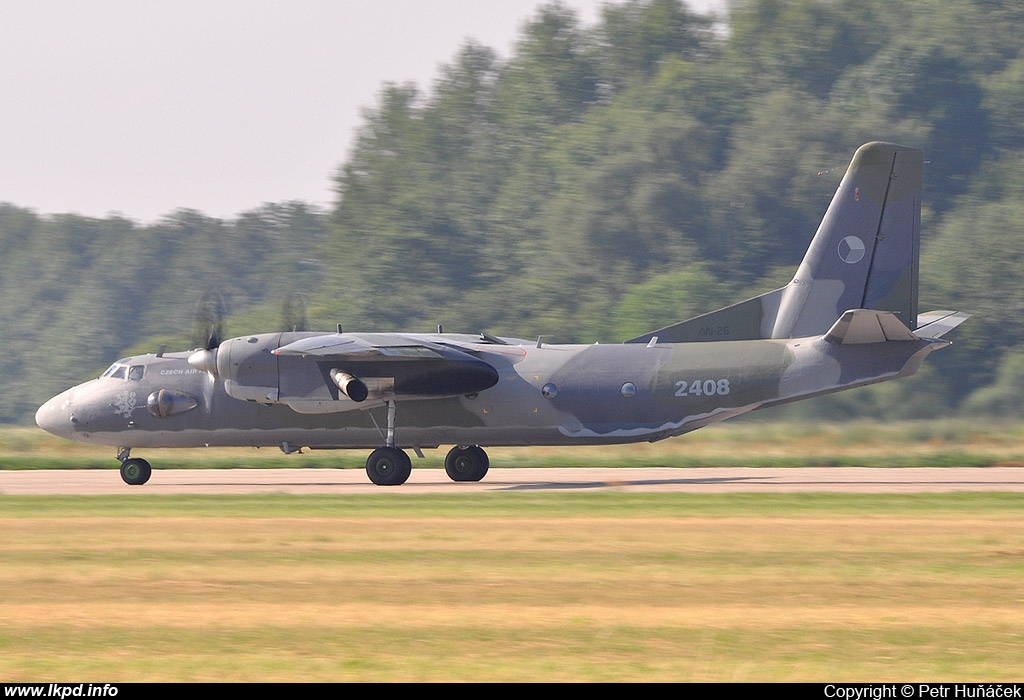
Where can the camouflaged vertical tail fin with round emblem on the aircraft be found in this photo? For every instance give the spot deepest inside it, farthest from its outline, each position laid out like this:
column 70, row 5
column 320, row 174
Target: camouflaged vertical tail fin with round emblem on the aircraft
column 865, row 256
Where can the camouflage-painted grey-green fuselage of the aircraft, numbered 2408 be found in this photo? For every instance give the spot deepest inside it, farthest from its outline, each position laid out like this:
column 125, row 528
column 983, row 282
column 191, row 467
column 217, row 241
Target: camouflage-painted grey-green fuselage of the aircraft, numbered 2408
column 544, row 396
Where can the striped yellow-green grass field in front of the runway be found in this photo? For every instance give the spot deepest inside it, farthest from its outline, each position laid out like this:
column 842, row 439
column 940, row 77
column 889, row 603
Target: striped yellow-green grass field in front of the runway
column 513, row 587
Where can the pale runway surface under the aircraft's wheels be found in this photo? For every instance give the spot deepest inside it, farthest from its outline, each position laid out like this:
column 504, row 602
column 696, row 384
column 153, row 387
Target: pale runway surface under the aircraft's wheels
column 712, row 480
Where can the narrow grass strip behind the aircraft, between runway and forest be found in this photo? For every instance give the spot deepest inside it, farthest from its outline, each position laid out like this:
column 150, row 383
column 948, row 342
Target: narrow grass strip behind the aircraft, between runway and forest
column 738, row 444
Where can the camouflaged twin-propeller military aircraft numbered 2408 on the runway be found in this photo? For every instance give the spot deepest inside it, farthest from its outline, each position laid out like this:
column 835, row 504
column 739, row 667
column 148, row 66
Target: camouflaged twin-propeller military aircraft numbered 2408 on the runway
column 848, row 319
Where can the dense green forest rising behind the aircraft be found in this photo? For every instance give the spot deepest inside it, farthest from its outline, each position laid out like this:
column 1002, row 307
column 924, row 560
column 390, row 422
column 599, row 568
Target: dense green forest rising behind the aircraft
column 601, row 182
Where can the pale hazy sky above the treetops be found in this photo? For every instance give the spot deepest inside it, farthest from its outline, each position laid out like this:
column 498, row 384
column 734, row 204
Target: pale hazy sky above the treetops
column 141, row 108
